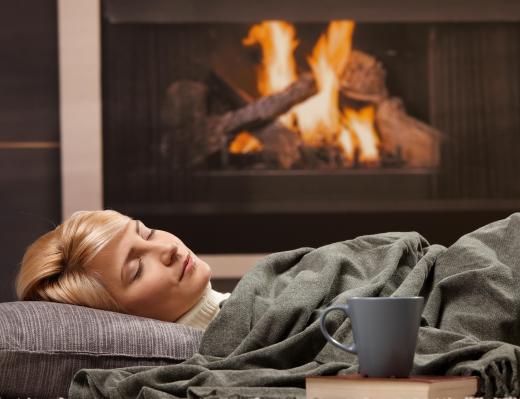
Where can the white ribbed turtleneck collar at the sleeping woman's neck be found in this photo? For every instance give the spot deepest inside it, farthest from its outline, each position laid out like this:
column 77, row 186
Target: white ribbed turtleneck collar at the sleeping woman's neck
column 204, row 311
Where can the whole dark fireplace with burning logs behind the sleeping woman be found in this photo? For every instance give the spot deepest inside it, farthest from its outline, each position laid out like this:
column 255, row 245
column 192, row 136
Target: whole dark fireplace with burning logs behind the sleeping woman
column 256, row 126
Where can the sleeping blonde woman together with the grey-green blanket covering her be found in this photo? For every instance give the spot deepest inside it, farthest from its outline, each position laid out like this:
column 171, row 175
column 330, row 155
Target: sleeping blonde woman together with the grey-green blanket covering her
column 469, row 325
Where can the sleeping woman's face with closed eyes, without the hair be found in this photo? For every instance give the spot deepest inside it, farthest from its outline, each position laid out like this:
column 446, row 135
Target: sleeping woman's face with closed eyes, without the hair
column 151, row 273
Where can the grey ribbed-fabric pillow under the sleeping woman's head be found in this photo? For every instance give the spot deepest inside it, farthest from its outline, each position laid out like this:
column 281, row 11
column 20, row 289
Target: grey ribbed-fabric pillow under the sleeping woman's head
column 42, row 345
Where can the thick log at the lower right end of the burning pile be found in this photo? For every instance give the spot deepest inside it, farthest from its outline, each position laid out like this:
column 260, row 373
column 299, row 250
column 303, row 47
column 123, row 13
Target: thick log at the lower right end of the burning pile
column 417, row 142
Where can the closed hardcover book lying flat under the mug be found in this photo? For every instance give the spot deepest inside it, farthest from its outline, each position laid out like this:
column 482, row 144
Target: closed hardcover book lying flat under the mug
column 356, row 386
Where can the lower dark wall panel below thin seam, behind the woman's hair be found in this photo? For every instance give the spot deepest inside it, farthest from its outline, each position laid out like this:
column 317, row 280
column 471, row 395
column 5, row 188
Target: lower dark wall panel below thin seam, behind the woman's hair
column 30, row 205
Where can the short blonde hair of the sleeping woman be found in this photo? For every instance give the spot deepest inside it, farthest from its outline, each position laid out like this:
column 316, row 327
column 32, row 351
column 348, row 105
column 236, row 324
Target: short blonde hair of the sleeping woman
column 52, row 268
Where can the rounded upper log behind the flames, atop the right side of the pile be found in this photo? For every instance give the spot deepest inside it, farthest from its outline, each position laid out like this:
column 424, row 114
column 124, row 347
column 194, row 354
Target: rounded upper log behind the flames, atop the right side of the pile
column 364, row 78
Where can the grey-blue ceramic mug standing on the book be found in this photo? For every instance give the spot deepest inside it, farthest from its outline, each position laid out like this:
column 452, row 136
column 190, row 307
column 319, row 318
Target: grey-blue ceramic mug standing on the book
column 385, row 333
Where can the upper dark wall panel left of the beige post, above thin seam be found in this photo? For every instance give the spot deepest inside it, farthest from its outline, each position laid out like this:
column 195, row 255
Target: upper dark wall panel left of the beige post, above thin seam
column 28, row 70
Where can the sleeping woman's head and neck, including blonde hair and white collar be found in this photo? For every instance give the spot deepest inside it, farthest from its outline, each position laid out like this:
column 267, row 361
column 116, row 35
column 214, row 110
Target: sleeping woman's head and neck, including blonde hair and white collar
column 106, row 260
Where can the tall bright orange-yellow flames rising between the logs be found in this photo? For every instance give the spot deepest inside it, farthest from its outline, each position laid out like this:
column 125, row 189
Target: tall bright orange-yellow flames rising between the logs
column 319, row 120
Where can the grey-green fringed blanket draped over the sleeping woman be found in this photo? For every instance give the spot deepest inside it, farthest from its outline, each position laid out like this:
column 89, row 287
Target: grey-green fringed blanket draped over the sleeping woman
column 266, row 338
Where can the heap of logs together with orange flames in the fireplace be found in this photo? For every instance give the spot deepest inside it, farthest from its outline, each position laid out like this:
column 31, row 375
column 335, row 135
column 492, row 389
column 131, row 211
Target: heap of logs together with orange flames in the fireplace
column 331, row 112
